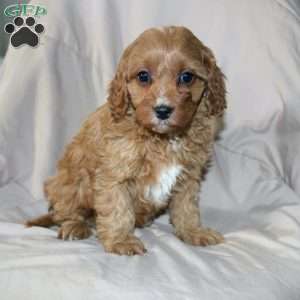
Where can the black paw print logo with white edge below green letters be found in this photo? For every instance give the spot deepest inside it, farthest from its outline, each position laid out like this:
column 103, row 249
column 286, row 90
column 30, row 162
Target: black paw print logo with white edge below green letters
column 24, row 32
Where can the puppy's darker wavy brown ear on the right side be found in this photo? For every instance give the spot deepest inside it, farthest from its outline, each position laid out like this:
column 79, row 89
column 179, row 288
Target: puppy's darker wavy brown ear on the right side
column 215, row 95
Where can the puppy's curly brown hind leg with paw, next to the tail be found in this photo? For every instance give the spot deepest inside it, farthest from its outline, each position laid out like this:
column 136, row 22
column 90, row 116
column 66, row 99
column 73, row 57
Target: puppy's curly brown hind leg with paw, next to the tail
column 70, row 198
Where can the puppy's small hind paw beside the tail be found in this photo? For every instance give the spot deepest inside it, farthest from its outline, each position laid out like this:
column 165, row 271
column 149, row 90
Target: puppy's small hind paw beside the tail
column 74, row 230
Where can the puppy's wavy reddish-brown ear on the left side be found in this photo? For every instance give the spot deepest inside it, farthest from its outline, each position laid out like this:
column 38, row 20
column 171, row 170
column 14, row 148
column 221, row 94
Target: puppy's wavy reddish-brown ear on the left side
column 118, row 97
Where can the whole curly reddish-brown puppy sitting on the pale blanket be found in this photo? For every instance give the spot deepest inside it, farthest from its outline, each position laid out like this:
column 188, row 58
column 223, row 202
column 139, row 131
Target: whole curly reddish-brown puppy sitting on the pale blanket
column 145, row 150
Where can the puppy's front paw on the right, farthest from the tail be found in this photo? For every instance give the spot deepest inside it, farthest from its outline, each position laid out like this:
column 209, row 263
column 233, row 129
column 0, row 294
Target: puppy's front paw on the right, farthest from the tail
column 201, row 237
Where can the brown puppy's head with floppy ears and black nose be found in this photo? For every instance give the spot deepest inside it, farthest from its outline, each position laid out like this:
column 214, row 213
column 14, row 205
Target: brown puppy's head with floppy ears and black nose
column 163, row 76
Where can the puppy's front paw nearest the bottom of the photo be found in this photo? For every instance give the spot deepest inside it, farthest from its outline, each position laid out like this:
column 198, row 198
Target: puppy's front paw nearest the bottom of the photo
column 130, row 246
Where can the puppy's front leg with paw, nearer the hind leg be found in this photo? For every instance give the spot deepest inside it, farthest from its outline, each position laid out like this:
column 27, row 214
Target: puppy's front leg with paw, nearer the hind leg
column 115, row 221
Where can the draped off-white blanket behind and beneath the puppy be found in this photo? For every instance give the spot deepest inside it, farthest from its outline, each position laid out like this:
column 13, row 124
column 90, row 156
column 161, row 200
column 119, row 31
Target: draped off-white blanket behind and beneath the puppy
column 251, row 194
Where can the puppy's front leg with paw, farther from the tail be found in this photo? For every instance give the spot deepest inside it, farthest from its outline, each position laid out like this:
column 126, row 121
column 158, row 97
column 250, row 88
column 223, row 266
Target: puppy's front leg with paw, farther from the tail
column 185, row 216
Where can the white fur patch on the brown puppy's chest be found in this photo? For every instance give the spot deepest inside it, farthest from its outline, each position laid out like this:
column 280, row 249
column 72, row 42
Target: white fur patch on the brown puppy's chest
column 159, row 192
